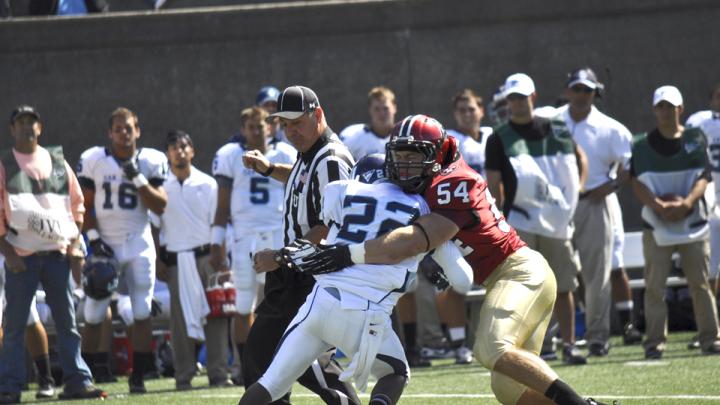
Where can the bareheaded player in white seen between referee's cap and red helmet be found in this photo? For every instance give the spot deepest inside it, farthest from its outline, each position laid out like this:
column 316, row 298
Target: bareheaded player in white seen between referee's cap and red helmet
column 364, row 139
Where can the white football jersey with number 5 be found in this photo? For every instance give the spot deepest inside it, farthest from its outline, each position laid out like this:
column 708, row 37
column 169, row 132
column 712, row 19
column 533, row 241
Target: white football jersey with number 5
column 256, row 202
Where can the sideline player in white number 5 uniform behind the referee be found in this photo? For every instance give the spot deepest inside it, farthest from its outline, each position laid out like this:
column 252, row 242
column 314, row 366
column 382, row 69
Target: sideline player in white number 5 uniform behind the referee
column 254, row 205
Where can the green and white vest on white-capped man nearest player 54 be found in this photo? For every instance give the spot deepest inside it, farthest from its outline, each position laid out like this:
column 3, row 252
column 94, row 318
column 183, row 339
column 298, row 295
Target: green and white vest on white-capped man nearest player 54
column 548, row 181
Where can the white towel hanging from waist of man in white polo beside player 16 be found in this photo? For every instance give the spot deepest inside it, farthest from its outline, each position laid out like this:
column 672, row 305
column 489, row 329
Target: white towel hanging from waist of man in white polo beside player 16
column 192, row 295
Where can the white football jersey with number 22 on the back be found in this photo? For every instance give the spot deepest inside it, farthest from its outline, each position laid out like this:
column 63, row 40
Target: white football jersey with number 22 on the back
column 356, row 212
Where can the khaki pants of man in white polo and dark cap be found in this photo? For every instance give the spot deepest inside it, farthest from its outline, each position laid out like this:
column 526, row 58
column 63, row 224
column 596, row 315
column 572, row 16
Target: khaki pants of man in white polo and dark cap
column 593, row 239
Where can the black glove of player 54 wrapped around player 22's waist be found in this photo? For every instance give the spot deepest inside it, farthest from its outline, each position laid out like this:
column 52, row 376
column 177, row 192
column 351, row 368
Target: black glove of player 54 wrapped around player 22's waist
column 306, row 257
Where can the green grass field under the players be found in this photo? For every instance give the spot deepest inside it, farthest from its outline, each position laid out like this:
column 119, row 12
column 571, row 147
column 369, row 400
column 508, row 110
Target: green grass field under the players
column 682, row 377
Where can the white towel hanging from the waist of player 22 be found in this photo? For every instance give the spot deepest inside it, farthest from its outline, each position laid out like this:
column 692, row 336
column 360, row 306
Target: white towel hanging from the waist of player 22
column 372, row 336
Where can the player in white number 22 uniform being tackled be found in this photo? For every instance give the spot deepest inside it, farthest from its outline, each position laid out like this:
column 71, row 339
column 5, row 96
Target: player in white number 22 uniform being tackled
column 350, row 309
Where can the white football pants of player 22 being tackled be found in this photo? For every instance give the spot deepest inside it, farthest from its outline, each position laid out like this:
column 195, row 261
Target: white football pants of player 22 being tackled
column 320, row 325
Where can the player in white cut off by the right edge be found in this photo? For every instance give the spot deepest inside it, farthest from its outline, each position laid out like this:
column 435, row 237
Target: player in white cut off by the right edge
column 709, row 122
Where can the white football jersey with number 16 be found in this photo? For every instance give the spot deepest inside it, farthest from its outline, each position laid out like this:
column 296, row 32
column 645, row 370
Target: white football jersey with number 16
column 119, row 211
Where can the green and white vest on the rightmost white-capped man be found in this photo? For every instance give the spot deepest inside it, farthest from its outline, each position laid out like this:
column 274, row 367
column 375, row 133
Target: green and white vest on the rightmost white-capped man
column 675, row 174
